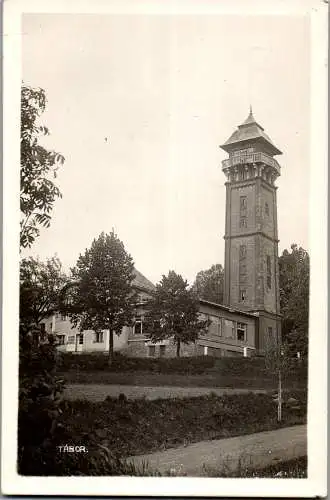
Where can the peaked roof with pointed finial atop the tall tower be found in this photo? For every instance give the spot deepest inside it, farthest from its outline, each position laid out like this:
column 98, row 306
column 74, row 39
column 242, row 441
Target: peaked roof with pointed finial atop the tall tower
column 247, row 131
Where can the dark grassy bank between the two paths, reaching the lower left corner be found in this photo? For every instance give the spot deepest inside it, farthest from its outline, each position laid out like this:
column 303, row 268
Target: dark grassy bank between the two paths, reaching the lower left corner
column 118, row 428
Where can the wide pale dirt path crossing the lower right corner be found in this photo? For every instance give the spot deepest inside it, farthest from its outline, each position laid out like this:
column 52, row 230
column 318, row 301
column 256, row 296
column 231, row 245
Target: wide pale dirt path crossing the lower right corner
column 256, row 450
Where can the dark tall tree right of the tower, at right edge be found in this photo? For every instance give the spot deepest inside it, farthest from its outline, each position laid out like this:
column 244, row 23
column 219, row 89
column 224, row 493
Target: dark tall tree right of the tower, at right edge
column 294, row 297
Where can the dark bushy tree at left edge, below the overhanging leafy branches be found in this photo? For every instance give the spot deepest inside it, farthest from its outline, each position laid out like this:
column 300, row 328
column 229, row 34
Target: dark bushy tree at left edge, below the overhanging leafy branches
column 40, row 286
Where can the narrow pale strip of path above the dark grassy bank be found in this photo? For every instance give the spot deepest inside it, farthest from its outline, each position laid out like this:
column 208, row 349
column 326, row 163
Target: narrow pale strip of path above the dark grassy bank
column 98, row 392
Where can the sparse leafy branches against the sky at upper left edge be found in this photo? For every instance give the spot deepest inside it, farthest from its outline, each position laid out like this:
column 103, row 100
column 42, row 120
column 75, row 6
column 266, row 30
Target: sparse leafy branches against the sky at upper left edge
column 38, row 167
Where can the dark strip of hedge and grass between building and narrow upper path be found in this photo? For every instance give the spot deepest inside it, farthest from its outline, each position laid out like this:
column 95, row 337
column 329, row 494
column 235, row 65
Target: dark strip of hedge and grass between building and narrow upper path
column 201, row 371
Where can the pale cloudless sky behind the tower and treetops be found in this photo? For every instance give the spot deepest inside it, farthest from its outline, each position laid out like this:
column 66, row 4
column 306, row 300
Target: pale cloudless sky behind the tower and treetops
column 166, row 91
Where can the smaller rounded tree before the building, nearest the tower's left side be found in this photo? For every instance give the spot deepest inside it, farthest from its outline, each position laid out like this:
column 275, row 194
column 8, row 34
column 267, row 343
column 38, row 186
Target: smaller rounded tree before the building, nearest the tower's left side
column 173, row 312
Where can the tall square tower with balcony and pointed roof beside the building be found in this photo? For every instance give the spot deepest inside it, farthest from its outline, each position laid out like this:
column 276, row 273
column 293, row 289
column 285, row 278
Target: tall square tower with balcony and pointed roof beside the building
column 251, row 234
